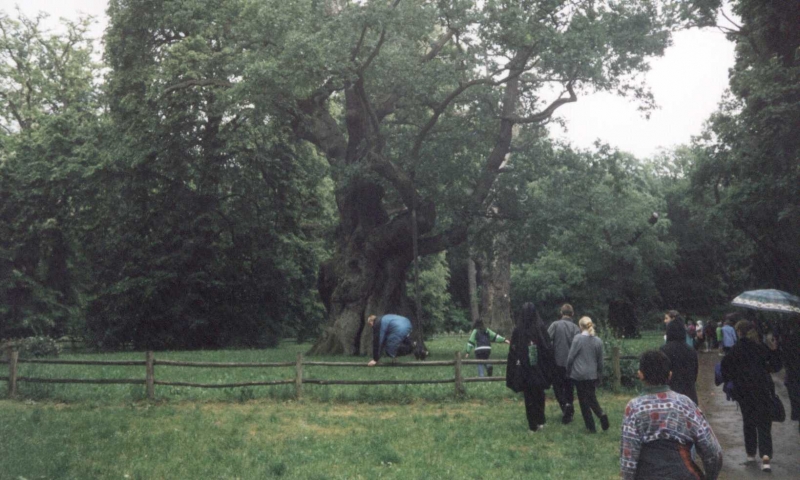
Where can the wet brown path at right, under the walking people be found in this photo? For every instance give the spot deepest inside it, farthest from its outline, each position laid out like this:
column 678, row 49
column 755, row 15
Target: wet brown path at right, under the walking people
column 726, row 420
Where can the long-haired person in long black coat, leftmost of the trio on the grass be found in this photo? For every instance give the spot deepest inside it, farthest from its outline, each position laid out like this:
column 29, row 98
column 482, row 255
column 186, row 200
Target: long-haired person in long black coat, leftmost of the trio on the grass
column 530, row 364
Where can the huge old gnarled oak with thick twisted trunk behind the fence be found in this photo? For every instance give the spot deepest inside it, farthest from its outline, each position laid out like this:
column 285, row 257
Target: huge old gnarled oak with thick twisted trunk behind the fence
column 413, row 105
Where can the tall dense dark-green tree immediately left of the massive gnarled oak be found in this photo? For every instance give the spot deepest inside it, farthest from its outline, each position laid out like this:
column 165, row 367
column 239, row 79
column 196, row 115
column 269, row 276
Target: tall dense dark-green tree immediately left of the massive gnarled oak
column 213, row 220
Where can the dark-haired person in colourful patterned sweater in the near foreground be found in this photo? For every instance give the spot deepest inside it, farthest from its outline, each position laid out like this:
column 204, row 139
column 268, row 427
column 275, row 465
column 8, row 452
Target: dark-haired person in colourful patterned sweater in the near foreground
column 660, row 427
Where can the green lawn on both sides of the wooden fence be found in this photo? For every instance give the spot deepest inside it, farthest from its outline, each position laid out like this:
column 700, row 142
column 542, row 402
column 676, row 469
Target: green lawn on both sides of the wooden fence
column 334, row 432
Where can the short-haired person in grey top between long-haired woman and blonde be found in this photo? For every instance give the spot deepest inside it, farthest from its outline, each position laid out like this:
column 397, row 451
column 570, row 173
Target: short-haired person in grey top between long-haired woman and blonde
column 562, row 332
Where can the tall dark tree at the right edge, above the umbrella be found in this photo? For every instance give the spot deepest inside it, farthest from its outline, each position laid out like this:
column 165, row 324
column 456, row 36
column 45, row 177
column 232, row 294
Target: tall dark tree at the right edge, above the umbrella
column 749, row 157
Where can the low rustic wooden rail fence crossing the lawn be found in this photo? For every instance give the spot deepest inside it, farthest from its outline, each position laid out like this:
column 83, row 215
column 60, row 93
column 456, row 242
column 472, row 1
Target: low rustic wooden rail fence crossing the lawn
column 298, row 381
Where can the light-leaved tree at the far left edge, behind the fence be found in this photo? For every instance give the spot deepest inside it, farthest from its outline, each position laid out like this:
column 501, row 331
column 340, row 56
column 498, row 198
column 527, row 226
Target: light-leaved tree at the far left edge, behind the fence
column 49, row 126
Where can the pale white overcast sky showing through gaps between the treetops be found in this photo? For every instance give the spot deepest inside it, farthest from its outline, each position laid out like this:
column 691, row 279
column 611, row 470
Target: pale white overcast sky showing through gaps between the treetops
column 688, row 82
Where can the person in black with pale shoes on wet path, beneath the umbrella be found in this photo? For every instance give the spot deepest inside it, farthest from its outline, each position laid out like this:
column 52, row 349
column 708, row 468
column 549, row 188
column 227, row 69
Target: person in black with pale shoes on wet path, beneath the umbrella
column 749, row 365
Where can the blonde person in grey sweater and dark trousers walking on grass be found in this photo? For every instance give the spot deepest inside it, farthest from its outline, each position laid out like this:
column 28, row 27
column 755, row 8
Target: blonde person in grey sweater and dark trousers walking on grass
column 585, row 367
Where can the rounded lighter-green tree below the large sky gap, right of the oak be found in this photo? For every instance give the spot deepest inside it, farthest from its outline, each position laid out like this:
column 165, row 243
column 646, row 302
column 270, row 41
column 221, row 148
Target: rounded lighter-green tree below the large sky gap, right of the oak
column 597, row 244
